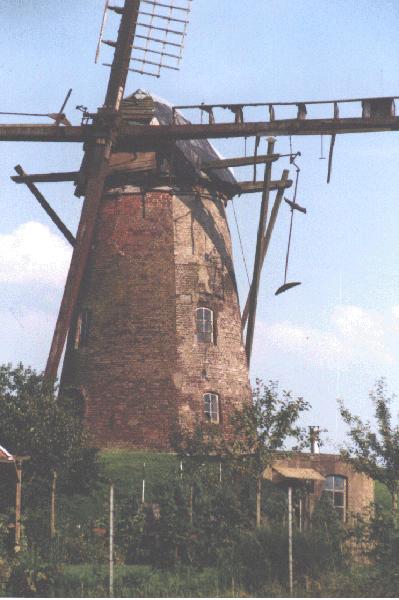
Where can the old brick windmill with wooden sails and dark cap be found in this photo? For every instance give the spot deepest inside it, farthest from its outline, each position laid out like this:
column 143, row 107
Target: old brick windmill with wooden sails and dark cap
column 142, row 158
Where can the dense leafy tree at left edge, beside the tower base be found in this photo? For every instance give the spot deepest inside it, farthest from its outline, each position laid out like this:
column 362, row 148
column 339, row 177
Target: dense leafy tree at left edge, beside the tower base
column 49, row 429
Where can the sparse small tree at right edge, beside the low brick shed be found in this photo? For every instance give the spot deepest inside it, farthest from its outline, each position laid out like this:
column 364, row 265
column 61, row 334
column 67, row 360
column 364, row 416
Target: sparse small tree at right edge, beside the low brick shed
column 375, row 453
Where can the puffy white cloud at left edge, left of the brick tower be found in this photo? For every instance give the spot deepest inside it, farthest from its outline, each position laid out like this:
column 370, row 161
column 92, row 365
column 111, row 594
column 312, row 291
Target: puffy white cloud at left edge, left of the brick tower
column 32, row 253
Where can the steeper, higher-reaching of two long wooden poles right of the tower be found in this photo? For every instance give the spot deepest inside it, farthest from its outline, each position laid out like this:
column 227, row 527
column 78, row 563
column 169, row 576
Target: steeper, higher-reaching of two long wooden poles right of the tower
column 257, row 263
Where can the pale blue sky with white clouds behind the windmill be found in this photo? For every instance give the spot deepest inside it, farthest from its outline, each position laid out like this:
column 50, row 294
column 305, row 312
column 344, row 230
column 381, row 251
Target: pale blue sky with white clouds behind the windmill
column 336, row 333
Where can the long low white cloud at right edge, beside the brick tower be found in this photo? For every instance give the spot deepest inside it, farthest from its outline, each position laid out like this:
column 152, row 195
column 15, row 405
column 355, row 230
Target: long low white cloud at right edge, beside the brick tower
column 351, row 336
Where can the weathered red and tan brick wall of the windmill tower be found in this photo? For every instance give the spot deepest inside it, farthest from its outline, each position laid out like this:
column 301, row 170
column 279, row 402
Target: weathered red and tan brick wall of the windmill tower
column 157, row 256
